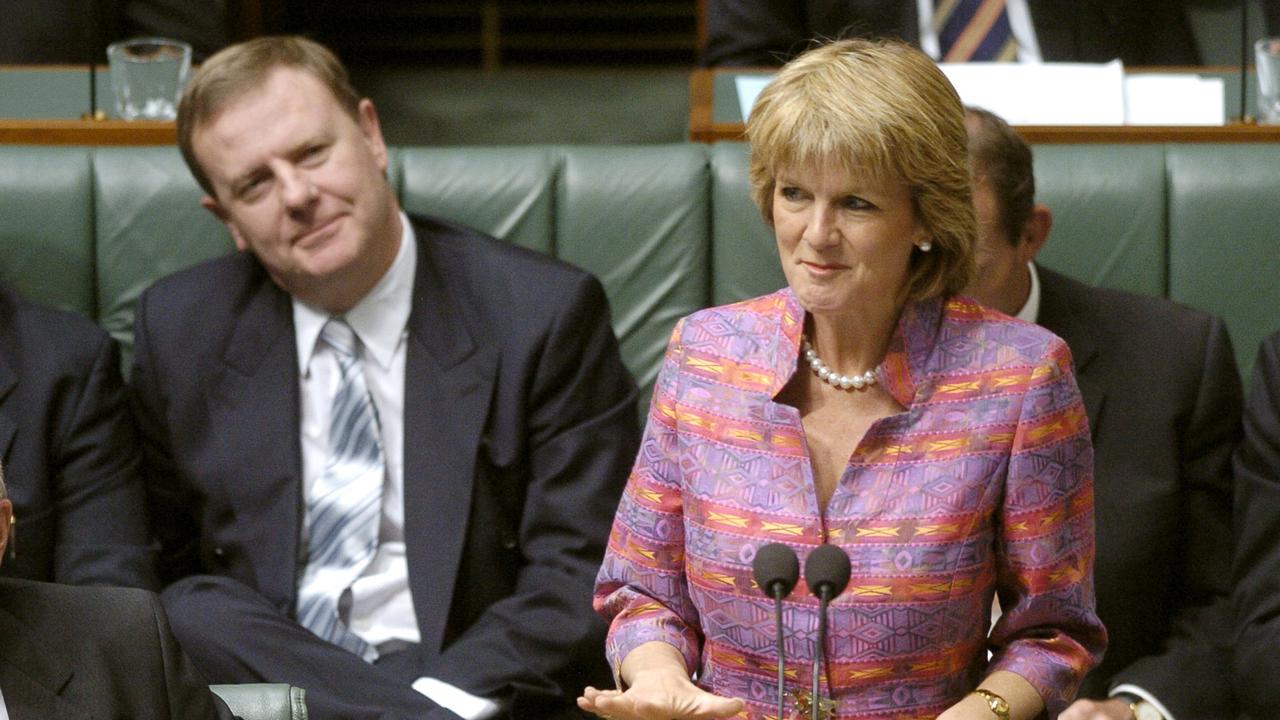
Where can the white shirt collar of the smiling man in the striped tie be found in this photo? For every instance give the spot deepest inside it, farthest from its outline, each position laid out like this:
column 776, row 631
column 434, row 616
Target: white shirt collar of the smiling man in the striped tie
column 380, row 320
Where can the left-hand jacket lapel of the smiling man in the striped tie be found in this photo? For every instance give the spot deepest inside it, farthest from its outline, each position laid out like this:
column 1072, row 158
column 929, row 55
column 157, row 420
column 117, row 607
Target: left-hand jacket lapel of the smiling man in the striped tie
column 255, row 402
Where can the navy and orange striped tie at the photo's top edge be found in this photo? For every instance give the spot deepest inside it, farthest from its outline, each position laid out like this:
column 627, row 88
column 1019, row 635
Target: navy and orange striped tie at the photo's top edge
column 975, row 31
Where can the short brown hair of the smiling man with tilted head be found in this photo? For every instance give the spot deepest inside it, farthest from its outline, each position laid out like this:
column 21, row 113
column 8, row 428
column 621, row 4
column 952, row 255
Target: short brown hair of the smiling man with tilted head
column 243, row 69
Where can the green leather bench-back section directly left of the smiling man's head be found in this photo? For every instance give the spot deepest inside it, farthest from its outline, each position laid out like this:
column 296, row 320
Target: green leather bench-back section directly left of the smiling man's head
column 149, row 224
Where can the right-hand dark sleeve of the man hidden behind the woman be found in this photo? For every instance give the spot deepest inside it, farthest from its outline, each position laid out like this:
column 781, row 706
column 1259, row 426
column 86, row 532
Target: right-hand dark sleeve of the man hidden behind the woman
column 1190, row 676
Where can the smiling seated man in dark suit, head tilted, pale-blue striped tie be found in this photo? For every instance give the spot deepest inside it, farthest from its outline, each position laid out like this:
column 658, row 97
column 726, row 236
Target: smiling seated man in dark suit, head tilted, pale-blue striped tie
column 479, row 384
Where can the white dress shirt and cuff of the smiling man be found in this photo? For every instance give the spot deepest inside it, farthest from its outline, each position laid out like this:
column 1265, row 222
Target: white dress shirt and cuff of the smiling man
column 378, row 607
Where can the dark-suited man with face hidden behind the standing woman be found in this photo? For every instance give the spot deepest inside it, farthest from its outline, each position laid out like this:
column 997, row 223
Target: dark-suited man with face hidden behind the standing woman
column 1163, row 397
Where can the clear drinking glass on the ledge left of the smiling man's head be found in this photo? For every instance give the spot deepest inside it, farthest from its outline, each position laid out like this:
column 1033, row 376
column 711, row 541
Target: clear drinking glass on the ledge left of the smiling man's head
column 148, row 76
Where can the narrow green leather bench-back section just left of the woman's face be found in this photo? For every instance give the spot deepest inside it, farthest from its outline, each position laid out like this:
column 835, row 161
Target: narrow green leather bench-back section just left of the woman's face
column 744, row 253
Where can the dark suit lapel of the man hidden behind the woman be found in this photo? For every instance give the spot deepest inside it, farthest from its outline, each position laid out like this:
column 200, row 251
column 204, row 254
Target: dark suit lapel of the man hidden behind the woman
column 1062, row 315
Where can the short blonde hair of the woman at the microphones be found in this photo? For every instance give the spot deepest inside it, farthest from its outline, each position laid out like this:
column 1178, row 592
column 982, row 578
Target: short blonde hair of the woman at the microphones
column 881, row 108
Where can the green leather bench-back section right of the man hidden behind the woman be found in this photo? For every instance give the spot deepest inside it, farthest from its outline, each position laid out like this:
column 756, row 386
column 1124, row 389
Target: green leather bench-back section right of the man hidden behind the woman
column 1110, row 225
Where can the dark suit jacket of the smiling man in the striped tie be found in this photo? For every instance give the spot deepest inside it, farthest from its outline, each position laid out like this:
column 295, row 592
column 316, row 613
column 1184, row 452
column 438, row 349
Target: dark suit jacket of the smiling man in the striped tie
column 520, row 427
